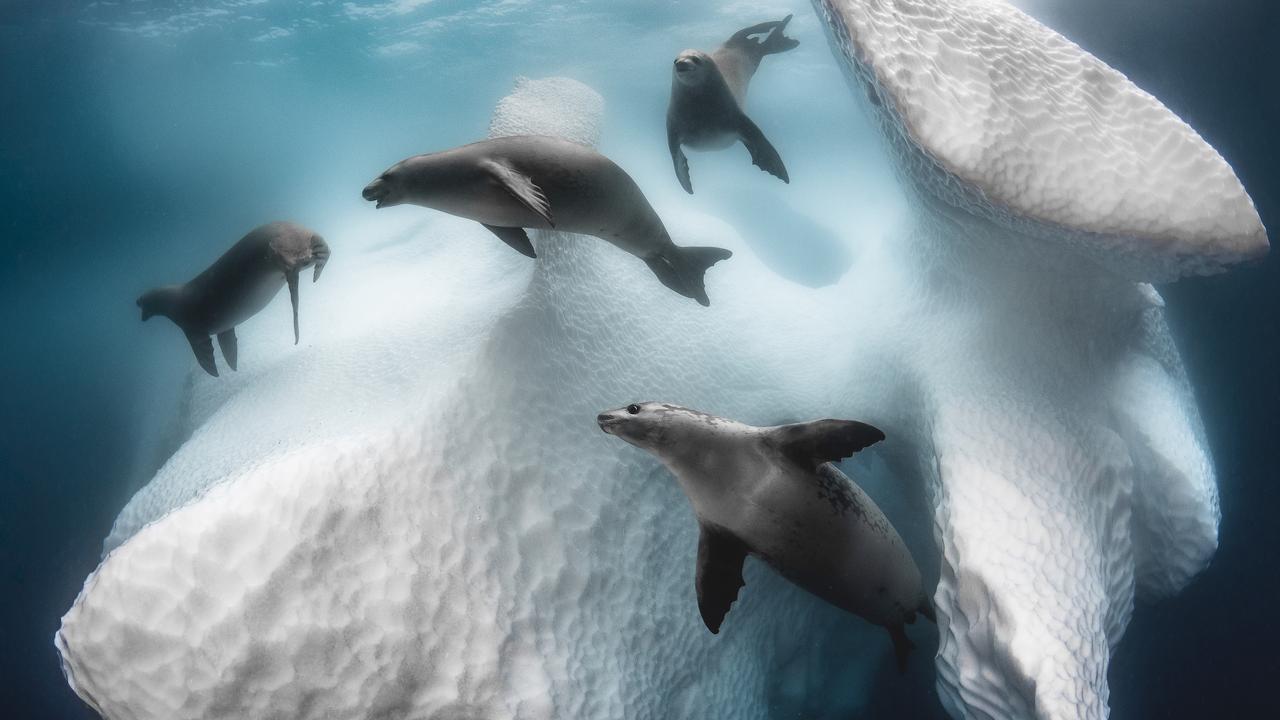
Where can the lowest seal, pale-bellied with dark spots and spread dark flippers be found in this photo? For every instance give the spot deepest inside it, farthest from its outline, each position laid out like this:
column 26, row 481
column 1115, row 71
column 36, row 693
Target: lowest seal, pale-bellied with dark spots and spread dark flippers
column 775, row 494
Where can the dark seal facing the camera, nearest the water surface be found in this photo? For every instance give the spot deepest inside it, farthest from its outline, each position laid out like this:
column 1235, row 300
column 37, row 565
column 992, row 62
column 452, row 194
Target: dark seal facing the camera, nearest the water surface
column 708, row 99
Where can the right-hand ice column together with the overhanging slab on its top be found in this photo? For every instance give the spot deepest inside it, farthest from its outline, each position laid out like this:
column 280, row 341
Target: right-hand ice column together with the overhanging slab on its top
column 1060, row 435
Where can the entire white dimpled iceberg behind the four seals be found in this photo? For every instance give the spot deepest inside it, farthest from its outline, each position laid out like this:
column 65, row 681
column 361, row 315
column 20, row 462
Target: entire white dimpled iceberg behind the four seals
column 413, row 514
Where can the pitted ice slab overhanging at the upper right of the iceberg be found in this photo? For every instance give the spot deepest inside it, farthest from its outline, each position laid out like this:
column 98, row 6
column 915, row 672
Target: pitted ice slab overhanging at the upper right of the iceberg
column 1025, row 127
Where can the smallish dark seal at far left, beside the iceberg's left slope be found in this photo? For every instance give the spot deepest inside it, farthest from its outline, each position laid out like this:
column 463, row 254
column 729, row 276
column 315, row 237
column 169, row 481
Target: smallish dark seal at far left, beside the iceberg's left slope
column 237, row 286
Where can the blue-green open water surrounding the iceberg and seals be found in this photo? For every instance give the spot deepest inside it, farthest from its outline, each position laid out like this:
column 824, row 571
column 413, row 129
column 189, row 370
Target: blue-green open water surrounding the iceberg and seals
column 141, row 139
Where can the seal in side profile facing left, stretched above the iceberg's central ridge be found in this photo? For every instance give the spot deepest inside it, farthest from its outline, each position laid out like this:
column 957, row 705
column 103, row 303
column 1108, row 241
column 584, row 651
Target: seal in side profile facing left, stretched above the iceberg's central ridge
column 511, row 184
